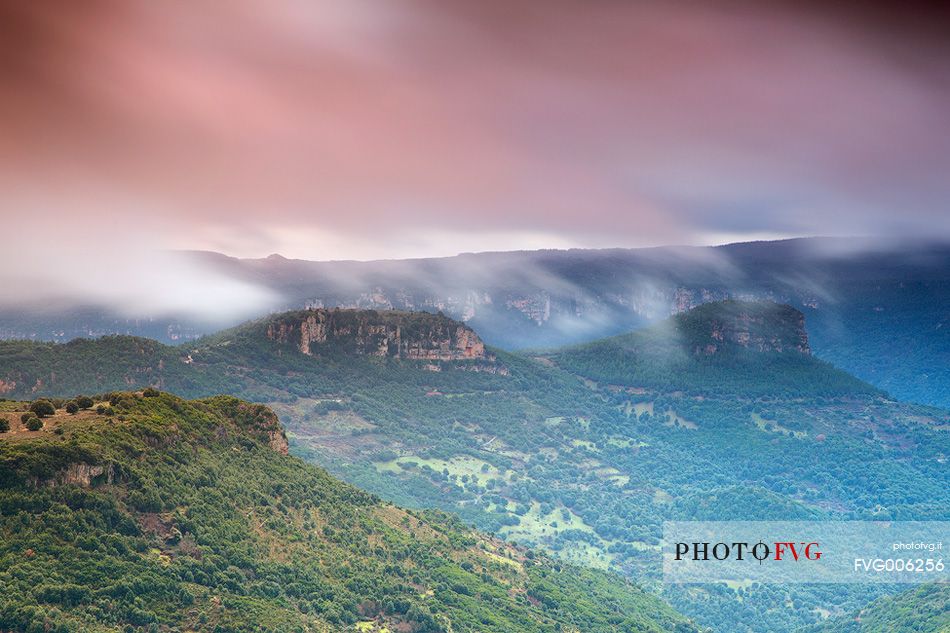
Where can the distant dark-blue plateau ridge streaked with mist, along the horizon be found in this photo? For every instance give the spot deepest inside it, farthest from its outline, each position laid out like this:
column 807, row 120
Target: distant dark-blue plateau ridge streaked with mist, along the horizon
column 876, row 311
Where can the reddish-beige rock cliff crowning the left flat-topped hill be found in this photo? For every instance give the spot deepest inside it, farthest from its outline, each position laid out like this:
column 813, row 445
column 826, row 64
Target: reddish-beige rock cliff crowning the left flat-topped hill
column 413, row 336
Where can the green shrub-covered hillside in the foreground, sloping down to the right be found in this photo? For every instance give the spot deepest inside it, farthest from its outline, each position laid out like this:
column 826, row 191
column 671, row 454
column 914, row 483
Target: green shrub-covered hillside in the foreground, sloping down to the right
column 157, row 513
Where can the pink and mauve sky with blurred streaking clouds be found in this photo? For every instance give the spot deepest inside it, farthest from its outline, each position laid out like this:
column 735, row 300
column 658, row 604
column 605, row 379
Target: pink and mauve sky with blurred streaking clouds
column 362, row 129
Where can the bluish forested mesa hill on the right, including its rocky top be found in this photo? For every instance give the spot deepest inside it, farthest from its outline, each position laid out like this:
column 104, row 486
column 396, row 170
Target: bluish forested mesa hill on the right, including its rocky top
column 724, row 348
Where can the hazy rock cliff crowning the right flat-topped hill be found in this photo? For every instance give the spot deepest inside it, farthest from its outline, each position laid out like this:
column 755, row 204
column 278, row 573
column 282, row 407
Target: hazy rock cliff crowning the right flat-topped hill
column 756, row 326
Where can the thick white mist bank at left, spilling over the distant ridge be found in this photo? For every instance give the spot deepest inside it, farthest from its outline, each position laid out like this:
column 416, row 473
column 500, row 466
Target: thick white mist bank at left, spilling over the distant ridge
column 124, row 270
